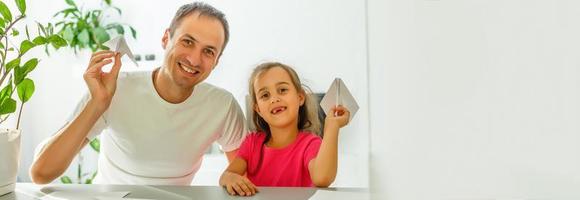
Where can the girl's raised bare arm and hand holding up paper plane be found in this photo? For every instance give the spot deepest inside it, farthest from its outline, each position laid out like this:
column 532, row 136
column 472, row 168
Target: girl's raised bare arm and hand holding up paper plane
column 323, row 168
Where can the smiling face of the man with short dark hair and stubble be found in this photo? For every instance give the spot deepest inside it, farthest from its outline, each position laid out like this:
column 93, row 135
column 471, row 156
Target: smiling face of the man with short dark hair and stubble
column 193, row 50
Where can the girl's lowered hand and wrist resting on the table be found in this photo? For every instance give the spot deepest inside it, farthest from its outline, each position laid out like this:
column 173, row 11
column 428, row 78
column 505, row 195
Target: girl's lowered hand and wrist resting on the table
column 234, row 181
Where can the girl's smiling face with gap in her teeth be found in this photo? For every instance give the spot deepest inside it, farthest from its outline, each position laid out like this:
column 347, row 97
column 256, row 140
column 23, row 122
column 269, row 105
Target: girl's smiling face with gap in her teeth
column 277, row 100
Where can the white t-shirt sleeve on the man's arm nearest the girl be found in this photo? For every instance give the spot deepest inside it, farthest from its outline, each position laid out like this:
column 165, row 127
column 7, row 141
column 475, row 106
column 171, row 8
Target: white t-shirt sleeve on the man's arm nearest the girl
column 234, row 129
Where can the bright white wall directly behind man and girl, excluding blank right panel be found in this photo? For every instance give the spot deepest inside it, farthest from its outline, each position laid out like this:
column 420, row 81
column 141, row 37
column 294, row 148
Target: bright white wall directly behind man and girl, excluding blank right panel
column 322, row 40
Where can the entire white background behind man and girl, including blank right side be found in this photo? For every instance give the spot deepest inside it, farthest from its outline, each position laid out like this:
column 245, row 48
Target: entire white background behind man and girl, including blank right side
column 463, row 99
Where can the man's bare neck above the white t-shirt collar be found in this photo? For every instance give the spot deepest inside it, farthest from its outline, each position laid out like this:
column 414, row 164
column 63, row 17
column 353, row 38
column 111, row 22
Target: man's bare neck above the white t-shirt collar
column 167, row 89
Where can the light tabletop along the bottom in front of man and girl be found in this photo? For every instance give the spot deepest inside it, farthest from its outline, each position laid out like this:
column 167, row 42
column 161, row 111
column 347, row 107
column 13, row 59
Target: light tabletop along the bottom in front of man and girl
column 25, row 191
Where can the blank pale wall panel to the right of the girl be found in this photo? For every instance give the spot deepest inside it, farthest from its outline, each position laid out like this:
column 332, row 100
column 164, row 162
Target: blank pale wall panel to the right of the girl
column 474, row 99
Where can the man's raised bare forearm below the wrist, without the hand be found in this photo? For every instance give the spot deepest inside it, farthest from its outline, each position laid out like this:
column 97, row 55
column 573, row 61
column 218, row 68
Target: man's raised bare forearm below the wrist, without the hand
column 61, row 149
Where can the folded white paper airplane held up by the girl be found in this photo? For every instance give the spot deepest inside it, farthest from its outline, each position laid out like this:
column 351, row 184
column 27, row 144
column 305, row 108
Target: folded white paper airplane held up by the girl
column 338, row 94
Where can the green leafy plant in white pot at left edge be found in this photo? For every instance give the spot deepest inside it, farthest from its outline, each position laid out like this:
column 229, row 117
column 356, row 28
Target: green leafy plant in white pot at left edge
column 14, row 70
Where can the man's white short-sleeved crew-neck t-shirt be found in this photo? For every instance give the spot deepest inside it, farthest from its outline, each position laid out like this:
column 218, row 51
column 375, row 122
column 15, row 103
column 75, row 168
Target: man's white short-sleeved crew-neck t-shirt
column 147, row 140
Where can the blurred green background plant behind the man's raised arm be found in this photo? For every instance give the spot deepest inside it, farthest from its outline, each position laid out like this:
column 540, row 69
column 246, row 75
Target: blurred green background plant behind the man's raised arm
column 88, row 29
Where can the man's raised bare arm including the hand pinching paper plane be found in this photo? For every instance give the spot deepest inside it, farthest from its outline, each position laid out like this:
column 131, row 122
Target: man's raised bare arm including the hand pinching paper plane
column 58, row 153
